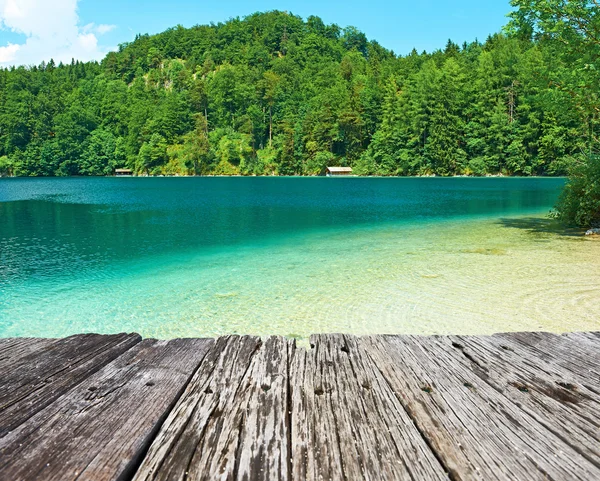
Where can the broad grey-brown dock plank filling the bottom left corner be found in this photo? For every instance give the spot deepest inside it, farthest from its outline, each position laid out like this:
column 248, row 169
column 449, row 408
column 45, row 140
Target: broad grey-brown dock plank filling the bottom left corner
column 101, row 428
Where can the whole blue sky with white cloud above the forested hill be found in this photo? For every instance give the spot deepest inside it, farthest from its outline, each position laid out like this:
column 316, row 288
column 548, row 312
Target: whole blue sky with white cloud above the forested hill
column 32, row 31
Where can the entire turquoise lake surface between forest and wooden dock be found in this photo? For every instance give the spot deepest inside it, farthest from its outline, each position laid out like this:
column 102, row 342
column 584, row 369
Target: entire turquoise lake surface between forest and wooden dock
column 178, row 257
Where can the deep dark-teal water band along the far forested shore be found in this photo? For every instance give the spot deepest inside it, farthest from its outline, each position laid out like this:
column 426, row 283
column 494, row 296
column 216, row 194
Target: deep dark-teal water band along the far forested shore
column 61, row 227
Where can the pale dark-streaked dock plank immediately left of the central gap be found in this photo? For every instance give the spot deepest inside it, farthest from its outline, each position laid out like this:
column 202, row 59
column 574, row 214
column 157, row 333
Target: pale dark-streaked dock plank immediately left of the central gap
column 207, row 432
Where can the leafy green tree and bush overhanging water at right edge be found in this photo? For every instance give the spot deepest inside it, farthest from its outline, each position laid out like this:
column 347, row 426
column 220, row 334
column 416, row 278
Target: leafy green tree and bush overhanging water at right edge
column 572, row 30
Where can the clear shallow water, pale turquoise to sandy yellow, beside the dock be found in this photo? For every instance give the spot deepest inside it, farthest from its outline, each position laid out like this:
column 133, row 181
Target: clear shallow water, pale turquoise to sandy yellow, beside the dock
column 471, row 277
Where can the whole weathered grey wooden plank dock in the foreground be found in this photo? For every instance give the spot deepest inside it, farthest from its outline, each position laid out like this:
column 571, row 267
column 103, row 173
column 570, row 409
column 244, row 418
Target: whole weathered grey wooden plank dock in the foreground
column 520, row 406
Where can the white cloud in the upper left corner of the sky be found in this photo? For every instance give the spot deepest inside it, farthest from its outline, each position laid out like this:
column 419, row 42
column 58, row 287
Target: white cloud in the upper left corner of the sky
column 51, row 29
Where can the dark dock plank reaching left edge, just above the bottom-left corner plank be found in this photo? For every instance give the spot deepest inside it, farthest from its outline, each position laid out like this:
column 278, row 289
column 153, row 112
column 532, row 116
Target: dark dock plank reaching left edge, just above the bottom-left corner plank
column 32, row 382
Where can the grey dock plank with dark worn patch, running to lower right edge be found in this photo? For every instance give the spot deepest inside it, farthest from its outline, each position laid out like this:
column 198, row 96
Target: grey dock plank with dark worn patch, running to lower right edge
column 544, row 391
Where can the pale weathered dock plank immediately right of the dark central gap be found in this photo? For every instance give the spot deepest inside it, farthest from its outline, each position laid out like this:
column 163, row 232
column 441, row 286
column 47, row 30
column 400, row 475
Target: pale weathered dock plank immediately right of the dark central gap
column 346, row 408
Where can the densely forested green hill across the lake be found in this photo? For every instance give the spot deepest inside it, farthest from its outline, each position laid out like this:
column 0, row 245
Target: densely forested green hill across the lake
column 274, row 94
